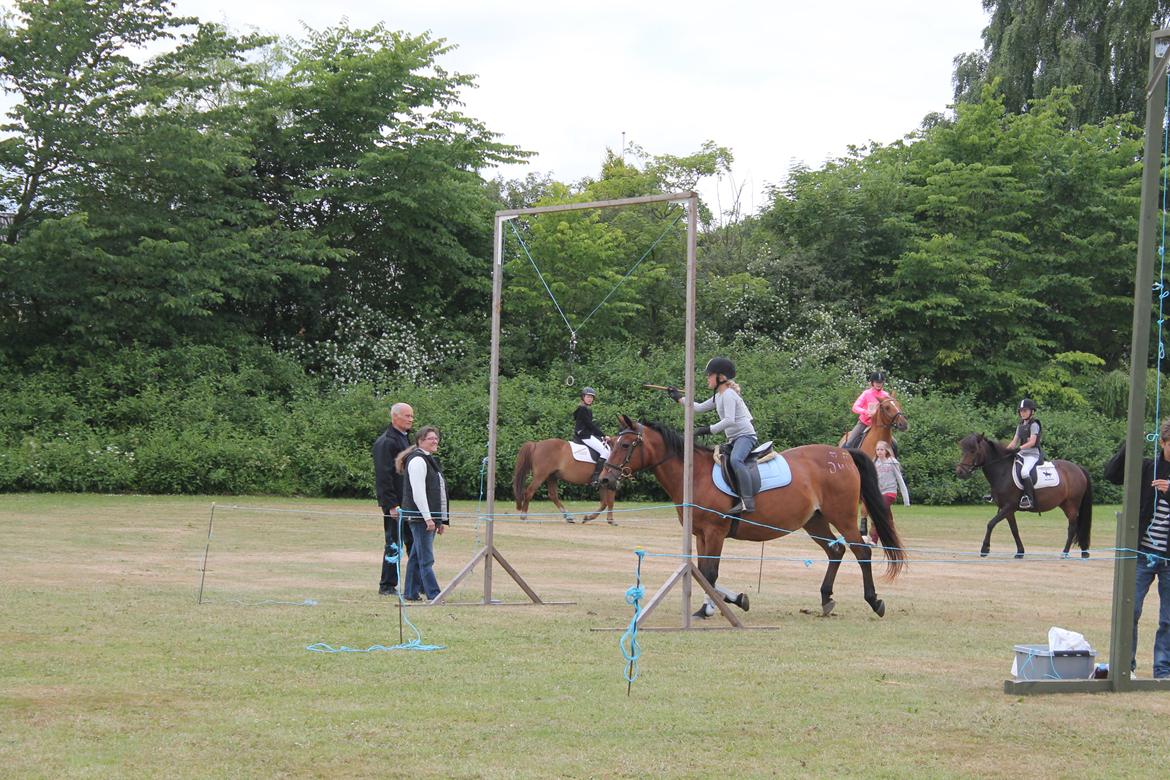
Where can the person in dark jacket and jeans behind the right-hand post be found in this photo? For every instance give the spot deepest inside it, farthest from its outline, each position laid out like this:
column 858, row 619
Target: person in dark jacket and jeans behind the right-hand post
column 1153, row 542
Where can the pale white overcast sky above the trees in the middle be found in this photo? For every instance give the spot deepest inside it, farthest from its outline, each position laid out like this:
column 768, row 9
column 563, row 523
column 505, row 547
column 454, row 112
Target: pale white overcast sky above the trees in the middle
column 775, row 81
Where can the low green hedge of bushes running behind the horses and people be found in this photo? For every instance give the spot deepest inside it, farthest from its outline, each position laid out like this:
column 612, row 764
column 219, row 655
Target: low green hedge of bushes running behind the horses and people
column 244, row 420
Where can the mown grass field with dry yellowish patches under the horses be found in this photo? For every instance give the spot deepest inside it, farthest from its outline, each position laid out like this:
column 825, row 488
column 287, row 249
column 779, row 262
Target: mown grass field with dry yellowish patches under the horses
column 108, row 667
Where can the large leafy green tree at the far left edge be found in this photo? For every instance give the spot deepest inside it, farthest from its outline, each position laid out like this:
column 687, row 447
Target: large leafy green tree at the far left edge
column 130, row 187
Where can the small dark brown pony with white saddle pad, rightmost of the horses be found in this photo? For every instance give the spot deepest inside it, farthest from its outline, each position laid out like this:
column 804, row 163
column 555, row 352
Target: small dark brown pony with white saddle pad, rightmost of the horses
column 1073, row 495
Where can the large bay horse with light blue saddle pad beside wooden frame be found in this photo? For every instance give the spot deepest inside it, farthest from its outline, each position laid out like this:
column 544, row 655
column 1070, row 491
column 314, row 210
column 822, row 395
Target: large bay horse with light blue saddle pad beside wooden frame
column 828, row 485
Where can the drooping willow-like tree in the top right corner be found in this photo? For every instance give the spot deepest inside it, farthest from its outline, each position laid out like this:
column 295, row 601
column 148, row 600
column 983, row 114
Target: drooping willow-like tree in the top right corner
column 1033, row 47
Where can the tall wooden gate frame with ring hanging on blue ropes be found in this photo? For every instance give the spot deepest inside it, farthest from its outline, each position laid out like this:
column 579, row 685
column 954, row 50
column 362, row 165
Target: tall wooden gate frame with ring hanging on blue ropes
column 490, row 554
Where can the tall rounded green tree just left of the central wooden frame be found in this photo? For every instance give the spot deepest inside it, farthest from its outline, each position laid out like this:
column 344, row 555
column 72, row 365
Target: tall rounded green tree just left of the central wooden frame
column 361, row 140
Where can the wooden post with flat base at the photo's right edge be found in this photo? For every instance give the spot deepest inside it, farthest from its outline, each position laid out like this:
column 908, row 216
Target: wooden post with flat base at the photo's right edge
column 1125, row 571
